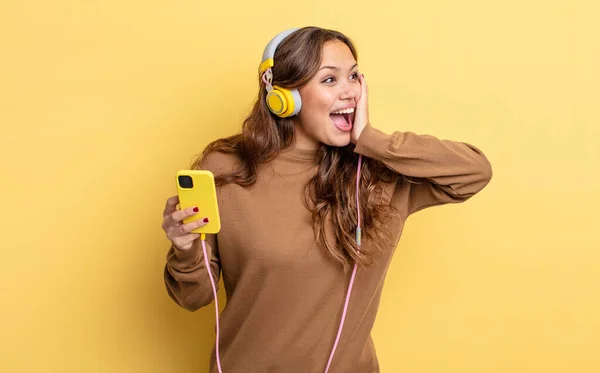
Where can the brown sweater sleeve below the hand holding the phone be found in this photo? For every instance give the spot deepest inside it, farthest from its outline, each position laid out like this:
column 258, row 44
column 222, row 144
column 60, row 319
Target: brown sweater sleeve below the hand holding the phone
column 186, row 275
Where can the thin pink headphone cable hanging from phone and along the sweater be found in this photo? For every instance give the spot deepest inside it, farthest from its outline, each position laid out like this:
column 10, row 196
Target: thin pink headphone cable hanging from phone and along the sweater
column 358, row 241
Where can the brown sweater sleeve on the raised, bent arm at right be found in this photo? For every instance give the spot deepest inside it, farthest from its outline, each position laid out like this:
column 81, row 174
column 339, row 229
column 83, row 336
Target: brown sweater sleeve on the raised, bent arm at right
column 440, row 171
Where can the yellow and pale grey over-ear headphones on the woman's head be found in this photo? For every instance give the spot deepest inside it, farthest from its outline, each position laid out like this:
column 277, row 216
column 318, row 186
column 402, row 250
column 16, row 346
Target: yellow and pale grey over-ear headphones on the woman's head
column 281, row 101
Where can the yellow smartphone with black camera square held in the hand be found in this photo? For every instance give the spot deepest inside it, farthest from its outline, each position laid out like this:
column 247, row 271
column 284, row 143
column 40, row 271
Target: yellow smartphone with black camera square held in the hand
column 197, row 188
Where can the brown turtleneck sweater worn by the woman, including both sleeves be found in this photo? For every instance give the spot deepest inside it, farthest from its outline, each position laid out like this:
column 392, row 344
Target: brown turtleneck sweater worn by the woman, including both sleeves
column 285, row 293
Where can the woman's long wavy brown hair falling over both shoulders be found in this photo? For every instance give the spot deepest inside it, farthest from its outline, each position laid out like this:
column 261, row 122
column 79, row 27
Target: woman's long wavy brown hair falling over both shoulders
column 331, row 192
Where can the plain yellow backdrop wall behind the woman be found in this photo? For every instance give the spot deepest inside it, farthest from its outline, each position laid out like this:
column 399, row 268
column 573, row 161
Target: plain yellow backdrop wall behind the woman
column 102, row 101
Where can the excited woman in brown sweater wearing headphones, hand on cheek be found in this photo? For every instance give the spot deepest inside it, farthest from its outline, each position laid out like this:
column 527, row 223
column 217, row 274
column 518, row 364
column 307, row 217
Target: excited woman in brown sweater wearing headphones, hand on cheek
column 288, row 248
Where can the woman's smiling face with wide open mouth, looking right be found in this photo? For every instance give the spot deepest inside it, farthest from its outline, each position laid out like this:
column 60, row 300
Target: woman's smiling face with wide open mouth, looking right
column 335, row 87
